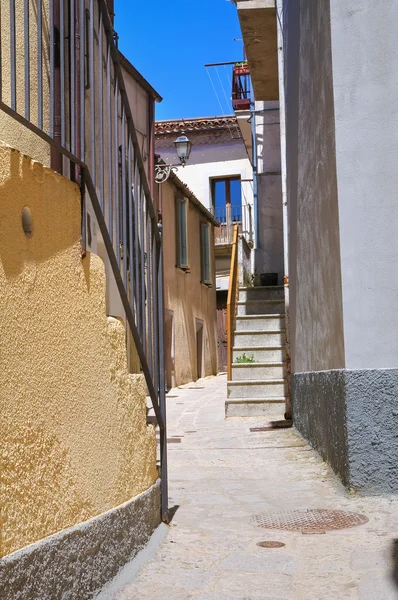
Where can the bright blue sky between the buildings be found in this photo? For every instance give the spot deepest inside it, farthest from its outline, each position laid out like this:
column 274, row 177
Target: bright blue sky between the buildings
column 170, row 41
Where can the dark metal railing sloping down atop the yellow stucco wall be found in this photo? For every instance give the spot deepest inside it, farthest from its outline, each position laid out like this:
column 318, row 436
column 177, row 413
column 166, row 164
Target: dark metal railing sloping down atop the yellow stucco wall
column 65, row 84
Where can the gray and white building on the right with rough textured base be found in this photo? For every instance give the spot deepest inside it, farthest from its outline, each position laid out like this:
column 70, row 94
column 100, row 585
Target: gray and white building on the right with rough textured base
column 338, row 98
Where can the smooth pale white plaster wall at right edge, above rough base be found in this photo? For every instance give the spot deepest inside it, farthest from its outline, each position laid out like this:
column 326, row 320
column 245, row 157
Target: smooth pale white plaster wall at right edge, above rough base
column 365, row 74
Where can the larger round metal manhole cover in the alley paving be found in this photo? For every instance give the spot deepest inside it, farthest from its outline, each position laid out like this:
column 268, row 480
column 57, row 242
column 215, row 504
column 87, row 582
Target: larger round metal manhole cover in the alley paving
column 312, row 520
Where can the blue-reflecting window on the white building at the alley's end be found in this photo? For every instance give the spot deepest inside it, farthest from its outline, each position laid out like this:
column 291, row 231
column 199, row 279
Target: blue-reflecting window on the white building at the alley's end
column 227, row 199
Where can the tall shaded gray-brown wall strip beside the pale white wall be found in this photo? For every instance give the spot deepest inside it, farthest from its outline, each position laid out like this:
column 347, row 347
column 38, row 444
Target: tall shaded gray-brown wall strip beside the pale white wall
column 317, row 340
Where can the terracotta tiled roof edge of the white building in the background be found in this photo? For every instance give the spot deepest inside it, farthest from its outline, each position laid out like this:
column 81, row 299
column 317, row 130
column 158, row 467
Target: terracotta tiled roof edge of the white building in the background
column 201, row 125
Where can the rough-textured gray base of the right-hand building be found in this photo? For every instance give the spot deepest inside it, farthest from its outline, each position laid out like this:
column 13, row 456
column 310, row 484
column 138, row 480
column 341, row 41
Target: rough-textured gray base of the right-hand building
column 350, row 417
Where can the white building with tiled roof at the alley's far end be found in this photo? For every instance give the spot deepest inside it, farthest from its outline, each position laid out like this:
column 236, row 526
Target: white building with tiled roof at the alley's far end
column 218, row 172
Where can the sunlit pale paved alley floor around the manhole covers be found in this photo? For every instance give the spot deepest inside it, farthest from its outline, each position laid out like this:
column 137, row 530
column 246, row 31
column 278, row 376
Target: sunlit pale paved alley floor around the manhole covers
column 221, row 475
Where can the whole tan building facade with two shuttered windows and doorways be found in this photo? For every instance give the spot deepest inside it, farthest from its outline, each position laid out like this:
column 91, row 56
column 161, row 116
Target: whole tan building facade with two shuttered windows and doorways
column 188, row 230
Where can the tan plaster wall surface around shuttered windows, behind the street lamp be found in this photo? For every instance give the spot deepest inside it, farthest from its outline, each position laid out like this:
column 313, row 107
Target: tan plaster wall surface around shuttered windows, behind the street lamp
column 186, row 296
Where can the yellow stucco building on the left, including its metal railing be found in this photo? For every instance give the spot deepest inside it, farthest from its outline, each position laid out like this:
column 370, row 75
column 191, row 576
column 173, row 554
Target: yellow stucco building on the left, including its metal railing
column 80, row 492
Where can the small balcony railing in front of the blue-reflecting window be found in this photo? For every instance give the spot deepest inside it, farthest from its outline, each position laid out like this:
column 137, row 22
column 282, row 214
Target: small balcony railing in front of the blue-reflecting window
column 229, row 216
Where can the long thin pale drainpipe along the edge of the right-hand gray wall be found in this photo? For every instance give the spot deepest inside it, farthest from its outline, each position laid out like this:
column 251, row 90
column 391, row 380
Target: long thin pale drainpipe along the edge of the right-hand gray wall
column 282, row 115
